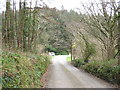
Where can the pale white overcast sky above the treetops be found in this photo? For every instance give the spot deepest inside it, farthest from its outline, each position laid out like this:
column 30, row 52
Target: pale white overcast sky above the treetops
column 68, row 4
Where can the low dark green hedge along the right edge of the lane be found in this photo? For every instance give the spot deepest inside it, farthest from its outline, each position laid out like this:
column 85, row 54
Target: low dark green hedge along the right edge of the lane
column 105, row 69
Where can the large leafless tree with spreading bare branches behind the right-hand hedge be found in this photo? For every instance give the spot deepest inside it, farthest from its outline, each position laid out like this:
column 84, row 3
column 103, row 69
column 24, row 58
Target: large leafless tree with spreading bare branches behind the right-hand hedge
column 101, row 18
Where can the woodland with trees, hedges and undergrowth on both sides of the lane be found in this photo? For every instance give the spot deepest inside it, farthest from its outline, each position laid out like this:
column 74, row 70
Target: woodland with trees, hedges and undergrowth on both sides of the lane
column 29, row 33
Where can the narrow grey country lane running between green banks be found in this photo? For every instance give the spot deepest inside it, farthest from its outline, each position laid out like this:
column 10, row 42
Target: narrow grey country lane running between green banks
column 64, row 75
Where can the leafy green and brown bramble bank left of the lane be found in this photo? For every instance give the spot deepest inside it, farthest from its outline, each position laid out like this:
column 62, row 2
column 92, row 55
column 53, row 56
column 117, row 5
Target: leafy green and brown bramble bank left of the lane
column 21, row 71
